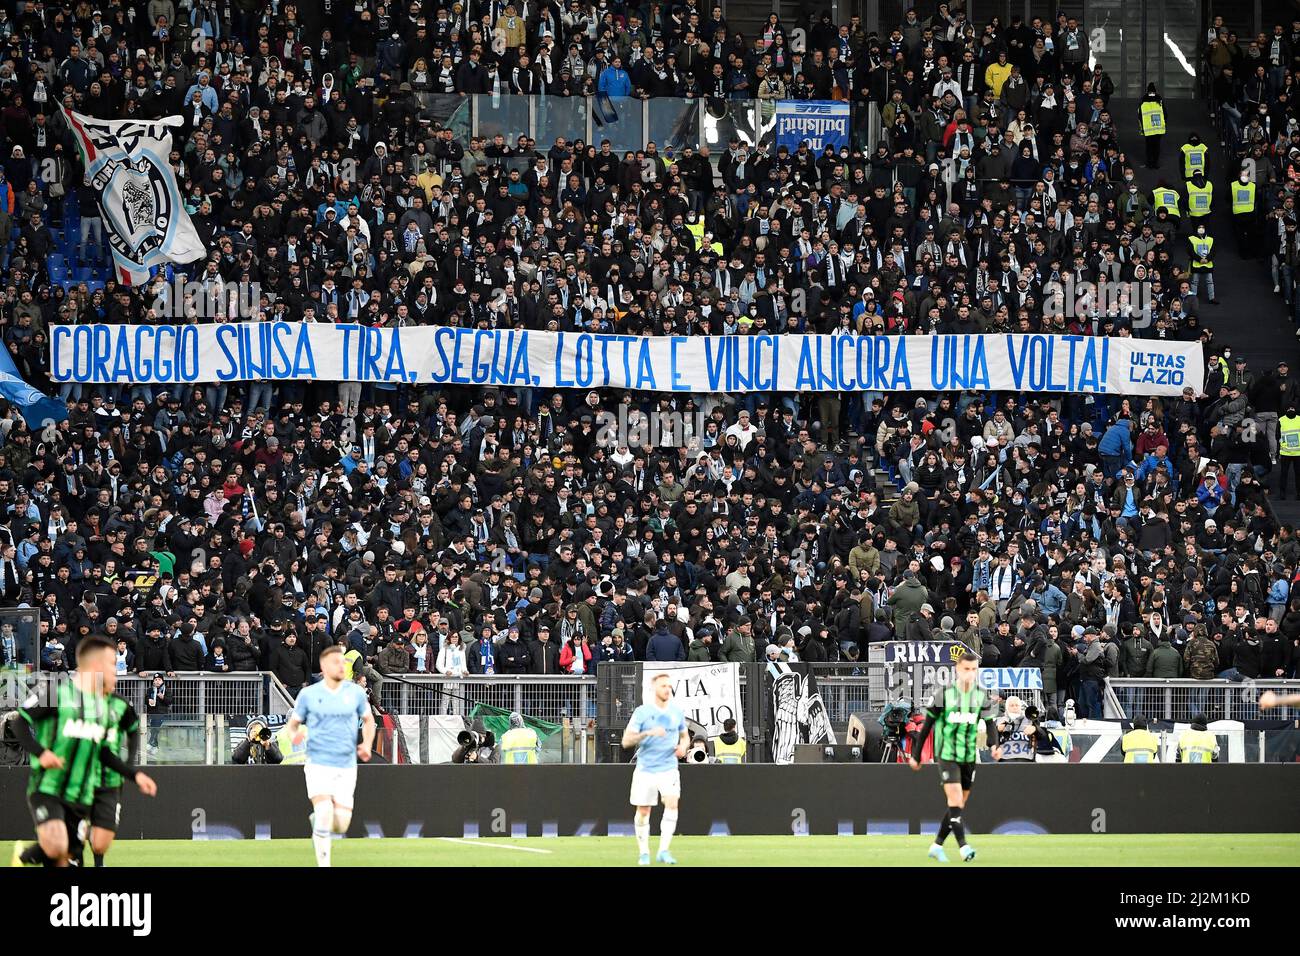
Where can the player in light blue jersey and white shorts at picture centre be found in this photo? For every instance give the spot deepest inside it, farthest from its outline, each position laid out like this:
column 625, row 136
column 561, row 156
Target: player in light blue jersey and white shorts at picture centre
column 660, row 734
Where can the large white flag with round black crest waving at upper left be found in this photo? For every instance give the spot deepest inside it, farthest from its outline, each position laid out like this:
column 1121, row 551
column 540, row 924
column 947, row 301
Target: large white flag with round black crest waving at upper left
column 145, row 219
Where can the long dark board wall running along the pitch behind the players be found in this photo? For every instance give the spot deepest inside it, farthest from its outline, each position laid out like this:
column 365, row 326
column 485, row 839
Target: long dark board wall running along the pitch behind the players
column 253, row 802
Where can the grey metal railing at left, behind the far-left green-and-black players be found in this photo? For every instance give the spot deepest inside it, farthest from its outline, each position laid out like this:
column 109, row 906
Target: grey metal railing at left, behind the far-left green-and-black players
column 190, row 695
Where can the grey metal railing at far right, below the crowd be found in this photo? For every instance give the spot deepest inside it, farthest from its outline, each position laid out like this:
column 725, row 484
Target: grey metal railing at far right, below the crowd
column 1182, row 699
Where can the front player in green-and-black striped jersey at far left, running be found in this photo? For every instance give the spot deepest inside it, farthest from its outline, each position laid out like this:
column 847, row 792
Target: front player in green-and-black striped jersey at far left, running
column 71, row 743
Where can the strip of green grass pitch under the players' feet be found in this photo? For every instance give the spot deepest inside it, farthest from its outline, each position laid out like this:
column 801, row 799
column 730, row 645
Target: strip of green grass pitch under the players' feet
column 1094, row 850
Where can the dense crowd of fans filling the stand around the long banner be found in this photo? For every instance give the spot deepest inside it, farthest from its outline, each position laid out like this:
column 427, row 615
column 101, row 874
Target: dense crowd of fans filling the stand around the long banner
column 249, row 526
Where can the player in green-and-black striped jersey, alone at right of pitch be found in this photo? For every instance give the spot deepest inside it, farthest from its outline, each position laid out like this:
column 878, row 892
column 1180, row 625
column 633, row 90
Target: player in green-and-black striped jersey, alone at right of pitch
column 955, row 715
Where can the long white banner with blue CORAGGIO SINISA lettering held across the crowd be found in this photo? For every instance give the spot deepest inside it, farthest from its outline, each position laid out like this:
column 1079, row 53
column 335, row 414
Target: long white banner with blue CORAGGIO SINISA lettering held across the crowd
column 514, row 358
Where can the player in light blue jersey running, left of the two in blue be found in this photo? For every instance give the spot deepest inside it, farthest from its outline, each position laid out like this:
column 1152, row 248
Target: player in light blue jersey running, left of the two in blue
column 330, row 713
